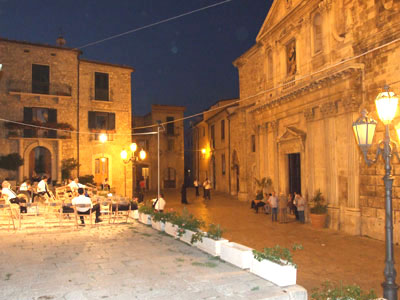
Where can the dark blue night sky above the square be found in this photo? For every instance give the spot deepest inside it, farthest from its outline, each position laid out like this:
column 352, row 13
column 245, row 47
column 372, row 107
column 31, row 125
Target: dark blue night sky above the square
column 187, row 61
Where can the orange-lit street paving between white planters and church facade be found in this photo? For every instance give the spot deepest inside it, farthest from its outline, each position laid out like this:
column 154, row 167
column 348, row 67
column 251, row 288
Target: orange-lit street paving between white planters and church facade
column 327, row 254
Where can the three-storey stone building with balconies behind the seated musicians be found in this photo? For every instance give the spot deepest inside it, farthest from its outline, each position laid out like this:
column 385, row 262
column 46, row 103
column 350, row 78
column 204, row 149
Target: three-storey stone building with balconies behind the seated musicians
column 52, row 87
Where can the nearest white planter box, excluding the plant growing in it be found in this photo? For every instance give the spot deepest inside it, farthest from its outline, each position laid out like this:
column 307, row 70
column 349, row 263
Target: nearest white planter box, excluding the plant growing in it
column 282, row 275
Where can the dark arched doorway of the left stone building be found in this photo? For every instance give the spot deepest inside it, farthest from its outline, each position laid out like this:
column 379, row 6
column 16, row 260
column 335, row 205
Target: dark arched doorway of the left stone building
column 39, row 162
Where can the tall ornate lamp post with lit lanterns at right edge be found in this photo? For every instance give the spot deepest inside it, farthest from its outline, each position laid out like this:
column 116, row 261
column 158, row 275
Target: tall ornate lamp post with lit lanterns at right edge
column 364, row 129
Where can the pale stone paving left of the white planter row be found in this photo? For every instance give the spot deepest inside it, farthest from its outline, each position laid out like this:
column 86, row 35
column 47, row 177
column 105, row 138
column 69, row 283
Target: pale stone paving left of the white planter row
column 119, row 261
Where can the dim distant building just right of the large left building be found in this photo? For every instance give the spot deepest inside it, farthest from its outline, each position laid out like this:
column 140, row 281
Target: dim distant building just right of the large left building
column 171, row 146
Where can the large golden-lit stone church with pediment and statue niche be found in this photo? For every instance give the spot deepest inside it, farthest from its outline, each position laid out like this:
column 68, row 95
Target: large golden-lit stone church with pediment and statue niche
column 314, row 66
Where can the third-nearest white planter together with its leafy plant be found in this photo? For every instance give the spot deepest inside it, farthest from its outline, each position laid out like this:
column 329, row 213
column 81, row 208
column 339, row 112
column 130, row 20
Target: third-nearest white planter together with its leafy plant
column 211, row 240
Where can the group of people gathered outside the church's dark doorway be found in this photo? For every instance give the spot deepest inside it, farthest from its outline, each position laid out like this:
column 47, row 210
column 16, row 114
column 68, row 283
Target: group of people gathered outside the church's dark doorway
column 271, row 203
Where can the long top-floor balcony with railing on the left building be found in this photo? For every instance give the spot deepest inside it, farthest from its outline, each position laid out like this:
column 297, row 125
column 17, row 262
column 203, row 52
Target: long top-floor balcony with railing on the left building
column 19, row 87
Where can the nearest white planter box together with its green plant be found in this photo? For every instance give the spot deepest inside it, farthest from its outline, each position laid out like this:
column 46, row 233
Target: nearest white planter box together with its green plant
column 275, row 264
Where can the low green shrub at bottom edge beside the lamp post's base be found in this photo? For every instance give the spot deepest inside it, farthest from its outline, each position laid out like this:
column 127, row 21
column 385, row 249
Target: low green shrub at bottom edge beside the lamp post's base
column 341, row 292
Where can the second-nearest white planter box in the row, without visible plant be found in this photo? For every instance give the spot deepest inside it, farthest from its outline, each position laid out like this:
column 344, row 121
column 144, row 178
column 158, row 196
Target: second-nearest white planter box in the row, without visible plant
column 237, row 254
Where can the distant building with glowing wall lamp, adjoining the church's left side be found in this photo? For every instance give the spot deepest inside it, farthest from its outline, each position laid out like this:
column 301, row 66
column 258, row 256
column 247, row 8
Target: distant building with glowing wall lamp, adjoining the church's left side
column 211, row 146
